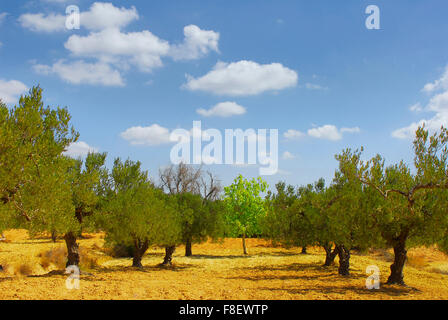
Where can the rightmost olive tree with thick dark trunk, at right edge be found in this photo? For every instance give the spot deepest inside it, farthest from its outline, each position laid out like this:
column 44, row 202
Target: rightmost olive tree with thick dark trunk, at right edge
column 412, row 210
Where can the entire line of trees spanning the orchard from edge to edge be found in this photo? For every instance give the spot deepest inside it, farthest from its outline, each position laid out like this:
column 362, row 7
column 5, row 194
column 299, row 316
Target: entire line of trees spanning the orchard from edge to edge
column 367, row 205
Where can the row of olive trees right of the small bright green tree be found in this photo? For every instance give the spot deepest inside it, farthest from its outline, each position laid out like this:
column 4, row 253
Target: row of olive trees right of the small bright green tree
column 369, row 205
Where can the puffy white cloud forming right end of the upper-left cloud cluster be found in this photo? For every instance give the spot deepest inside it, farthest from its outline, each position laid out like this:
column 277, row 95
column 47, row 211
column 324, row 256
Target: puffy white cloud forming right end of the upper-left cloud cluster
column 197, row 43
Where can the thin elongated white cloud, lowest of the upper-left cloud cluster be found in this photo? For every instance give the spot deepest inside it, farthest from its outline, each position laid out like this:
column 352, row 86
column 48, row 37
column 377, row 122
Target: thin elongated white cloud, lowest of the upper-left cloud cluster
column 80, row 72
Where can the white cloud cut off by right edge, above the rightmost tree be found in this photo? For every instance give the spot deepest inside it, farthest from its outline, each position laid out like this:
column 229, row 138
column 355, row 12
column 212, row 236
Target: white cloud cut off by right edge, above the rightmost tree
column 437, row 106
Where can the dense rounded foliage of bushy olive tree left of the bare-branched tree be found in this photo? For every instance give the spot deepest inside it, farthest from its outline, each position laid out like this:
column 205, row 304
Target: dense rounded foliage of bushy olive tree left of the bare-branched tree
column 136, row 210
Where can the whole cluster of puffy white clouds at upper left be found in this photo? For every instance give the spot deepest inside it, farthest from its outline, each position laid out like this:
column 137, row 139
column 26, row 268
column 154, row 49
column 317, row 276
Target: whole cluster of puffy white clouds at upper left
column 113, row 50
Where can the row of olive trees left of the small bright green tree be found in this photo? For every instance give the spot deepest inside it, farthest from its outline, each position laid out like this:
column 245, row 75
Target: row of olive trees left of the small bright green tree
column 43, row 190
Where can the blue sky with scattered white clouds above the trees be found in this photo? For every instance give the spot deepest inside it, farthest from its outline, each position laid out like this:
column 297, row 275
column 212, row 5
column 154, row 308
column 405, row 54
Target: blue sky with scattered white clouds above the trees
column 353, row 87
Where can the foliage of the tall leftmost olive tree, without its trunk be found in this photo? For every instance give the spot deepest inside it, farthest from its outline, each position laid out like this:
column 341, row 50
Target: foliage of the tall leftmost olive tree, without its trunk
column 33, row 186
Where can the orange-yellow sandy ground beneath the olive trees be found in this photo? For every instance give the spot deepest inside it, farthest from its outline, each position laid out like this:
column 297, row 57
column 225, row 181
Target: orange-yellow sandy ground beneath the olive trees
column 217, row 271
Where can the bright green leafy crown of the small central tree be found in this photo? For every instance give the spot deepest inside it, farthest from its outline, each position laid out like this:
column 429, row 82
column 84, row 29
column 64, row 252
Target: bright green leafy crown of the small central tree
column 245, row 206
